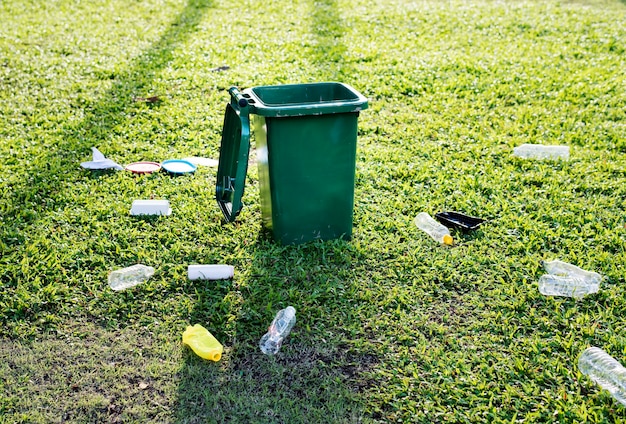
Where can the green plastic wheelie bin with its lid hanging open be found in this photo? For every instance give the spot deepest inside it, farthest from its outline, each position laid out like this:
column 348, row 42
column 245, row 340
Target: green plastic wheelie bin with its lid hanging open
column 306, row 152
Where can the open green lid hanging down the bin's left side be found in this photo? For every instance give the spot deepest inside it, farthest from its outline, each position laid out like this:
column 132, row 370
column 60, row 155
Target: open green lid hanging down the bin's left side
column 234, row 151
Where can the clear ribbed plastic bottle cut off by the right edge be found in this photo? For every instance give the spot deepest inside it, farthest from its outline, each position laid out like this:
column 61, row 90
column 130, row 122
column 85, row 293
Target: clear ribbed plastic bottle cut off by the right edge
column 604, row 371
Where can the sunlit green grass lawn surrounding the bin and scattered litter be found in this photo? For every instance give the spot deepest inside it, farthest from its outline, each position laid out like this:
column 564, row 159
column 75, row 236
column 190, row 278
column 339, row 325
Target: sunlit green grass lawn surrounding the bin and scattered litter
column 391, row 326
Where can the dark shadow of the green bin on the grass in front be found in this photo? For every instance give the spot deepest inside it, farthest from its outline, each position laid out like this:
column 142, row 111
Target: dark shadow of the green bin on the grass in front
column 316, row 376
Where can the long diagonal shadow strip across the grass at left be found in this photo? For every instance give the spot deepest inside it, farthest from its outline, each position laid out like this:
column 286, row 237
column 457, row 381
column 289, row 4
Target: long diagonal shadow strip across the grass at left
column 45, row 191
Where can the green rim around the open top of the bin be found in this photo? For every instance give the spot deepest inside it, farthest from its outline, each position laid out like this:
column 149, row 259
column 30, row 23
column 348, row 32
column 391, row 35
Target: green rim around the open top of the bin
column 304, row 99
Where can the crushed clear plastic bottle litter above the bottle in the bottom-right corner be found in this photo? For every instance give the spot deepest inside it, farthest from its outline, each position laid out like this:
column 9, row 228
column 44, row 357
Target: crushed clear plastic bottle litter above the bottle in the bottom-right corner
column 568, row 280
